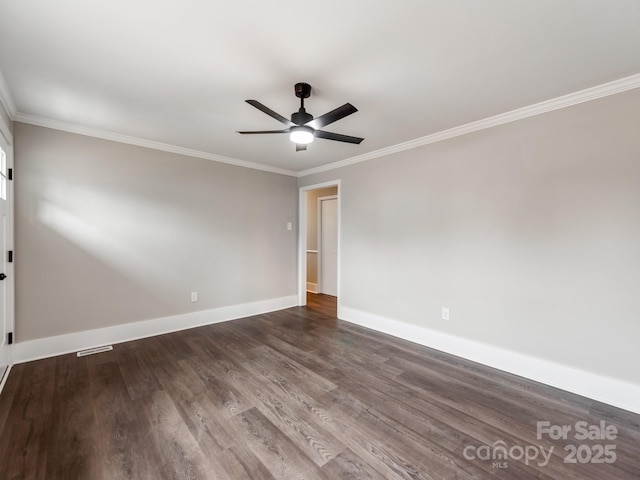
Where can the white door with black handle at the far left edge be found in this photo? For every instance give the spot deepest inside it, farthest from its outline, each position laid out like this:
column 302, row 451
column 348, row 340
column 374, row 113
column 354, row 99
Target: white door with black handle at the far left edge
column 5, row 226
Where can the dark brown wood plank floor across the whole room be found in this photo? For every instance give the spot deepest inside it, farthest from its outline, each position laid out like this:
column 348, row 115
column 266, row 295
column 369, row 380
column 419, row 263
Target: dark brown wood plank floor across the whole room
column 294, row 394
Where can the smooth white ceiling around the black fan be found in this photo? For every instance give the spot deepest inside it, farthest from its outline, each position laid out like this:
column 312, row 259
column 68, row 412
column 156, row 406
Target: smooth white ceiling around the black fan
column 178, row 71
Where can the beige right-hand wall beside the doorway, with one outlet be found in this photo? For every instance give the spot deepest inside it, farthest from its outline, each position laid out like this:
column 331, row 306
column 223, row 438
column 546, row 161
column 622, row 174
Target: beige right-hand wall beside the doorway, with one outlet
column 529, row 232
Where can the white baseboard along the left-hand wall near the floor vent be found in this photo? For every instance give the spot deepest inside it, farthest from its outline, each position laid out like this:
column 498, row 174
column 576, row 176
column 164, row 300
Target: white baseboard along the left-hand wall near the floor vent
column 72, row 342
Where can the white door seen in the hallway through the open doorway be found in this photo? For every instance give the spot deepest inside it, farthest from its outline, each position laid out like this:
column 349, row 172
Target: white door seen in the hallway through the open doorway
column 328, row 246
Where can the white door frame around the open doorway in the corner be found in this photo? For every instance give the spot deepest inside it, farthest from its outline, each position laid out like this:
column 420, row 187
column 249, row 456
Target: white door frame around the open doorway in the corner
column 302, row 238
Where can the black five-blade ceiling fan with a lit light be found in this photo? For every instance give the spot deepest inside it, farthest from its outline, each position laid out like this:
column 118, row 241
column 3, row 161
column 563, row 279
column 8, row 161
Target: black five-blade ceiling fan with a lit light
column 303, row 128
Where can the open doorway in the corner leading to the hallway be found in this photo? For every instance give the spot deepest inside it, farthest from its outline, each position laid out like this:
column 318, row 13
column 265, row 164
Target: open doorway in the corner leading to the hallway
column 319, row 247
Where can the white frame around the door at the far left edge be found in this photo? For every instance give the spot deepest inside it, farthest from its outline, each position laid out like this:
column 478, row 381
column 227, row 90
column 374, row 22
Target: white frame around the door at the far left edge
column 6, row 135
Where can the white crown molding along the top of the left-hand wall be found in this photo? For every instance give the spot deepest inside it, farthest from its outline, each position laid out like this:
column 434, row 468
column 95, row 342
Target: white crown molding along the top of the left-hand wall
column 141, row 142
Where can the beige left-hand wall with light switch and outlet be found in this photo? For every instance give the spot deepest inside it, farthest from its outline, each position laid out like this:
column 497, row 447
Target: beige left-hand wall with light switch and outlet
column 108, row 233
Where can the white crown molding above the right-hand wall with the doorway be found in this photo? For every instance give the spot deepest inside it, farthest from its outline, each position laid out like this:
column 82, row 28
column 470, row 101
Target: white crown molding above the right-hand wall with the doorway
column 582, row 96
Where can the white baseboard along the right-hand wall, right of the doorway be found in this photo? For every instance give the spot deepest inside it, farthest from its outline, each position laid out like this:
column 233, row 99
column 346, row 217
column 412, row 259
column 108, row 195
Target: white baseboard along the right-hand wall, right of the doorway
column 614, row 392
